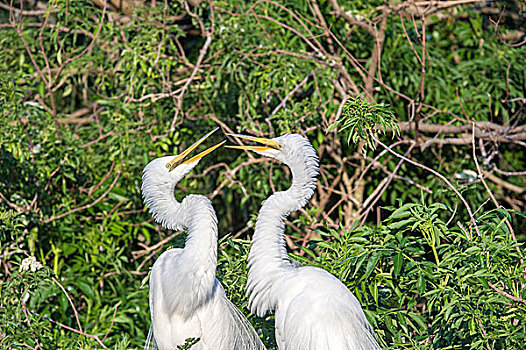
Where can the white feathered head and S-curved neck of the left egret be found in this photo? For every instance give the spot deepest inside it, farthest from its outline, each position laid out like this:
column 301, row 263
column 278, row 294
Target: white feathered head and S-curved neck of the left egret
column 197, row 263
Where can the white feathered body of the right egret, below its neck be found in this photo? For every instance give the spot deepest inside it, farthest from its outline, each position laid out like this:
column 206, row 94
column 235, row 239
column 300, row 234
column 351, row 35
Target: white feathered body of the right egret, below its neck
column 320, row 312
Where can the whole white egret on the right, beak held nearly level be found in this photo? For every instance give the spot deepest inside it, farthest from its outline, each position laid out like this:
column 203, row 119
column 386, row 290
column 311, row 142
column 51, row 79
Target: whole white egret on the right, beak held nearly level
column 313, row 309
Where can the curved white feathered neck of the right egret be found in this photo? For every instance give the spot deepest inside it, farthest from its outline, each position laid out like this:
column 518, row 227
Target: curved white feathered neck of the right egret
column 268, row 258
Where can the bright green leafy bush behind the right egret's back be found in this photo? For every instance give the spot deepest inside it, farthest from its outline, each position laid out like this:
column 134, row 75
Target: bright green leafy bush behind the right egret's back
column 419, row 297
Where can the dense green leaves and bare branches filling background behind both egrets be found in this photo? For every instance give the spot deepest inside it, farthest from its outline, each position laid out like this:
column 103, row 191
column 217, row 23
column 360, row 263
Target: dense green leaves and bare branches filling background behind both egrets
column 416, row 110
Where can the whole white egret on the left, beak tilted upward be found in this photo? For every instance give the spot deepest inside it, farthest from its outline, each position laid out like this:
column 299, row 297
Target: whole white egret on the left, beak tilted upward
column 186, row 299
